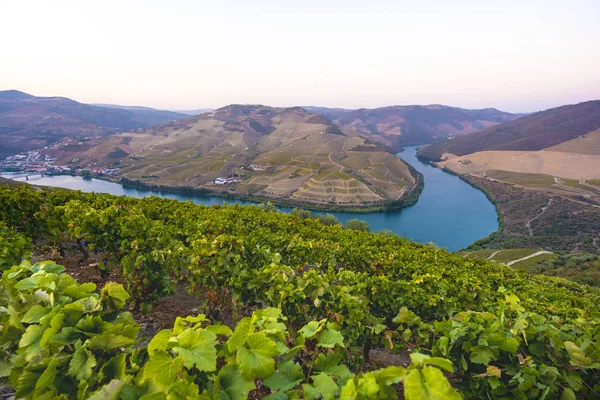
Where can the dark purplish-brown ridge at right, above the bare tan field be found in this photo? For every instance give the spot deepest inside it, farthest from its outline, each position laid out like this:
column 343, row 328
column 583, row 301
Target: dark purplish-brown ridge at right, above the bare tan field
column 532, row 132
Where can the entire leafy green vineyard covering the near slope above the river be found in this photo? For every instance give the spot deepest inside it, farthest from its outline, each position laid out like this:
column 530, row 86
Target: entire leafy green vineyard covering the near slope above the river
column 334, row 295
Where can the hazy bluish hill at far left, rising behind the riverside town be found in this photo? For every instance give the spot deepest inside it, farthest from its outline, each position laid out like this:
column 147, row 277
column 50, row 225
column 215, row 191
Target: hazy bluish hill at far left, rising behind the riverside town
column 28, row 122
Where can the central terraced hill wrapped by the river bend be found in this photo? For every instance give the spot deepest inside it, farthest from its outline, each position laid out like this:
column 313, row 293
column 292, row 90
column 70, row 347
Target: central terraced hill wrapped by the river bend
column 282, row 154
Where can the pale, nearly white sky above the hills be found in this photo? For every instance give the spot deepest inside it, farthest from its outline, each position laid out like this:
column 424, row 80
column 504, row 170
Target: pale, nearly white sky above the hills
column 518, row 56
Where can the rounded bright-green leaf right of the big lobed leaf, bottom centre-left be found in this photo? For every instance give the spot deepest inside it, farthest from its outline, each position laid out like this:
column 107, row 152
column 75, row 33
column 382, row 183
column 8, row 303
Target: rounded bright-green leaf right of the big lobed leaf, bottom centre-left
column 256, row 360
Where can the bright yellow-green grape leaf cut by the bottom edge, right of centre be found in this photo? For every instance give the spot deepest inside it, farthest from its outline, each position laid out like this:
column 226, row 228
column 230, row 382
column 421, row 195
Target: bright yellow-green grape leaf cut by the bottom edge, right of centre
column 428, row 384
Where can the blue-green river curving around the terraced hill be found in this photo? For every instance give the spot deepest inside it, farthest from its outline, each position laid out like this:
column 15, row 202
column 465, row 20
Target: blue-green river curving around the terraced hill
column 450, row 212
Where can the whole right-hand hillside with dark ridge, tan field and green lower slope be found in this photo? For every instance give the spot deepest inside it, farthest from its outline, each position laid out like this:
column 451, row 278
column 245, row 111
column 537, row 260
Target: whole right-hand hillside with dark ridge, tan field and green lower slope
column 543, row 173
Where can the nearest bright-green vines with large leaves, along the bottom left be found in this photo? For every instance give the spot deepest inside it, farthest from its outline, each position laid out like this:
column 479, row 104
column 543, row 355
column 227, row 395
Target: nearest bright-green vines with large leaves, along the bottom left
column 59, row 339
